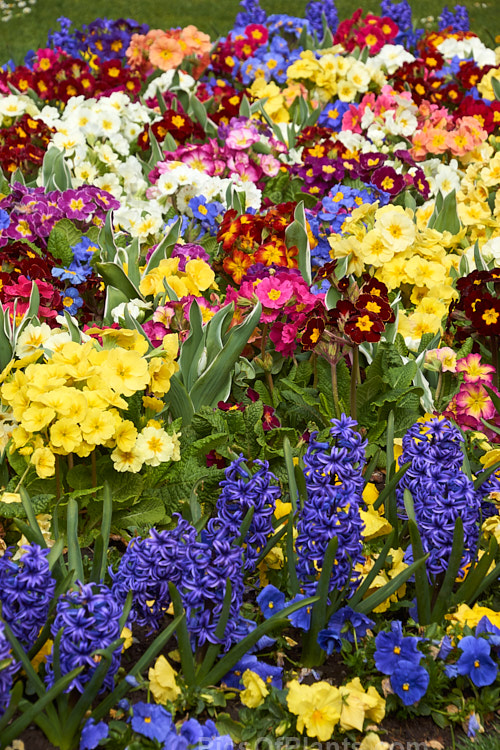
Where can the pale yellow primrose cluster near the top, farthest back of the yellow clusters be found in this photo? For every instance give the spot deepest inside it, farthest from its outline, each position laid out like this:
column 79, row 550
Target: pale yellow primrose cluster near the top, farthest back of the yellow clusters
column 334, row 75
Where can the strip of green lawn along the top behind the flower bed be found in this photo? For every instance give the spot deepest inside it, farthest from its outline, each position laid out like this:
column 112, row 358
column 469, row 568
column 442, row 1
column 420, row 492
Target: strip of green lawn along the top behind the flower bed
column 215, row 17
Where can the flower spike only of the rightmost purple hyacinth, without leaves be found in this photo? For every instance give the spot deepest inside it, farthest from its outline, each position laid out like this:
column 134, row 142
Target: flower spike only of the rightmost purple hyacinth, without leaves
column 441, row 491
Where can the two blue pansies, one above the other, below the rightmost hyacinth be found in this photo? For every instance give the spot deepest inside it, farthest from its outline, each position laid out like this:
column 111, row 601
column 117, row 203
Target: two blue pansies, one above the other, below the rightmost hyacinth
column 399, row 657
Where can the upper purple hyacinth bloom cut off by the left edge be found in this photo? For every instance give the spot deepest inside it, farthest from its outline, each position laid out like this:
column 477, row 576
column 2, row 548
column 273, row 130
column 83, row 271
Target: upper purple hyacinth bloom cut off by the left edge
column 26, row 591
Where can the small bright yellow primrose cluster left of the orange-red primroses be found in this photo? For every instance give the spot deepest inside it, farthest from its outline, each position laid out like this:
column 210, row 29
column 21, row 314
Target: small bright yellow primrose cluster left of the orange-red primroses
column 197, row 277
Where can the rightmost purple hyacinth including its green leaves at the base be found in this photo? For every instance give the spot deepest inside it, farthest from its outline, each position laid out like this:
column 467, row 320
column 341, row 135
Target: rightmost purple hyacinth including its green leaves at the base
column 444, row 509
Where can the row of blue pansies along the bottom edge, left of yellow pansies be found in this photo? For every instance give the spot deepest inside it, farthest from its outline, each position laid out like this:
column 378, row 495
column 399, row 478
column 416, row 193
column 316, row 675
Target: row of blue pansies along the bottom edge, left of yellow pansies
column 155, row 723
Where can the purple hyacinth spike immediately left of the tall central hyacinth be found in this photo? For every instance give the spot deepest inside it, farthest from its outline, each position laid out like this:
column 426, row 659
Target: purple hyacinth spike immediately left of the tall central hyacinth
column 242, row 491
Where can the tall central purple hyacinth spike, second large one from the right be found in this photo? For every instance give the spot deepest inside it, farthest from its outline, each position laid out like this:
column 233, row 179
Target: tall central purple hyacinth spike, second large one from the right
column 334, row 482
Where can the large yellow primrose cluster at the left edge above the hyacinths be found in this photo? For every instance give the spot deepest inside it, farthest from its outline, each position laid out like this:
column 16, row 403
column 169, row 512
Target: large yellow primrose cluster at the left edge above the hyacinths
column 75, row 401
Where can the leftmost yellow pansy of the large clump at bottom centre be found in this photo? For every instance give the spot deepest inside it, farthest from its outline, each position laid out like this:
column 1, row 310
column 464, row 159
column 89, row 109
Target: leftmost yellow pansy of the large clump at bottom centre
column 316, row 706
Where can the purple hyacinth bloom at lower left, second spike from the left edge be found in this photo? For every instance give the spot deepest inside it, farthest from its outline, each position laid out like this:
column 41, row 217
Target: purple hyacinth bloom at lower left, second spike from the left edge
column 89, row 615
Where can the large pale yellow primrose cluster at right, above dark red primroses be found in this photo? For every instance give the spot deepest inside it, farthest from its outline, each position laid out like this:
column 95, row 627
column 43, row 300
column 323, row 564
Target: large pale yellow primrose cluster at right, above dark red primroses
column 404, row 254
